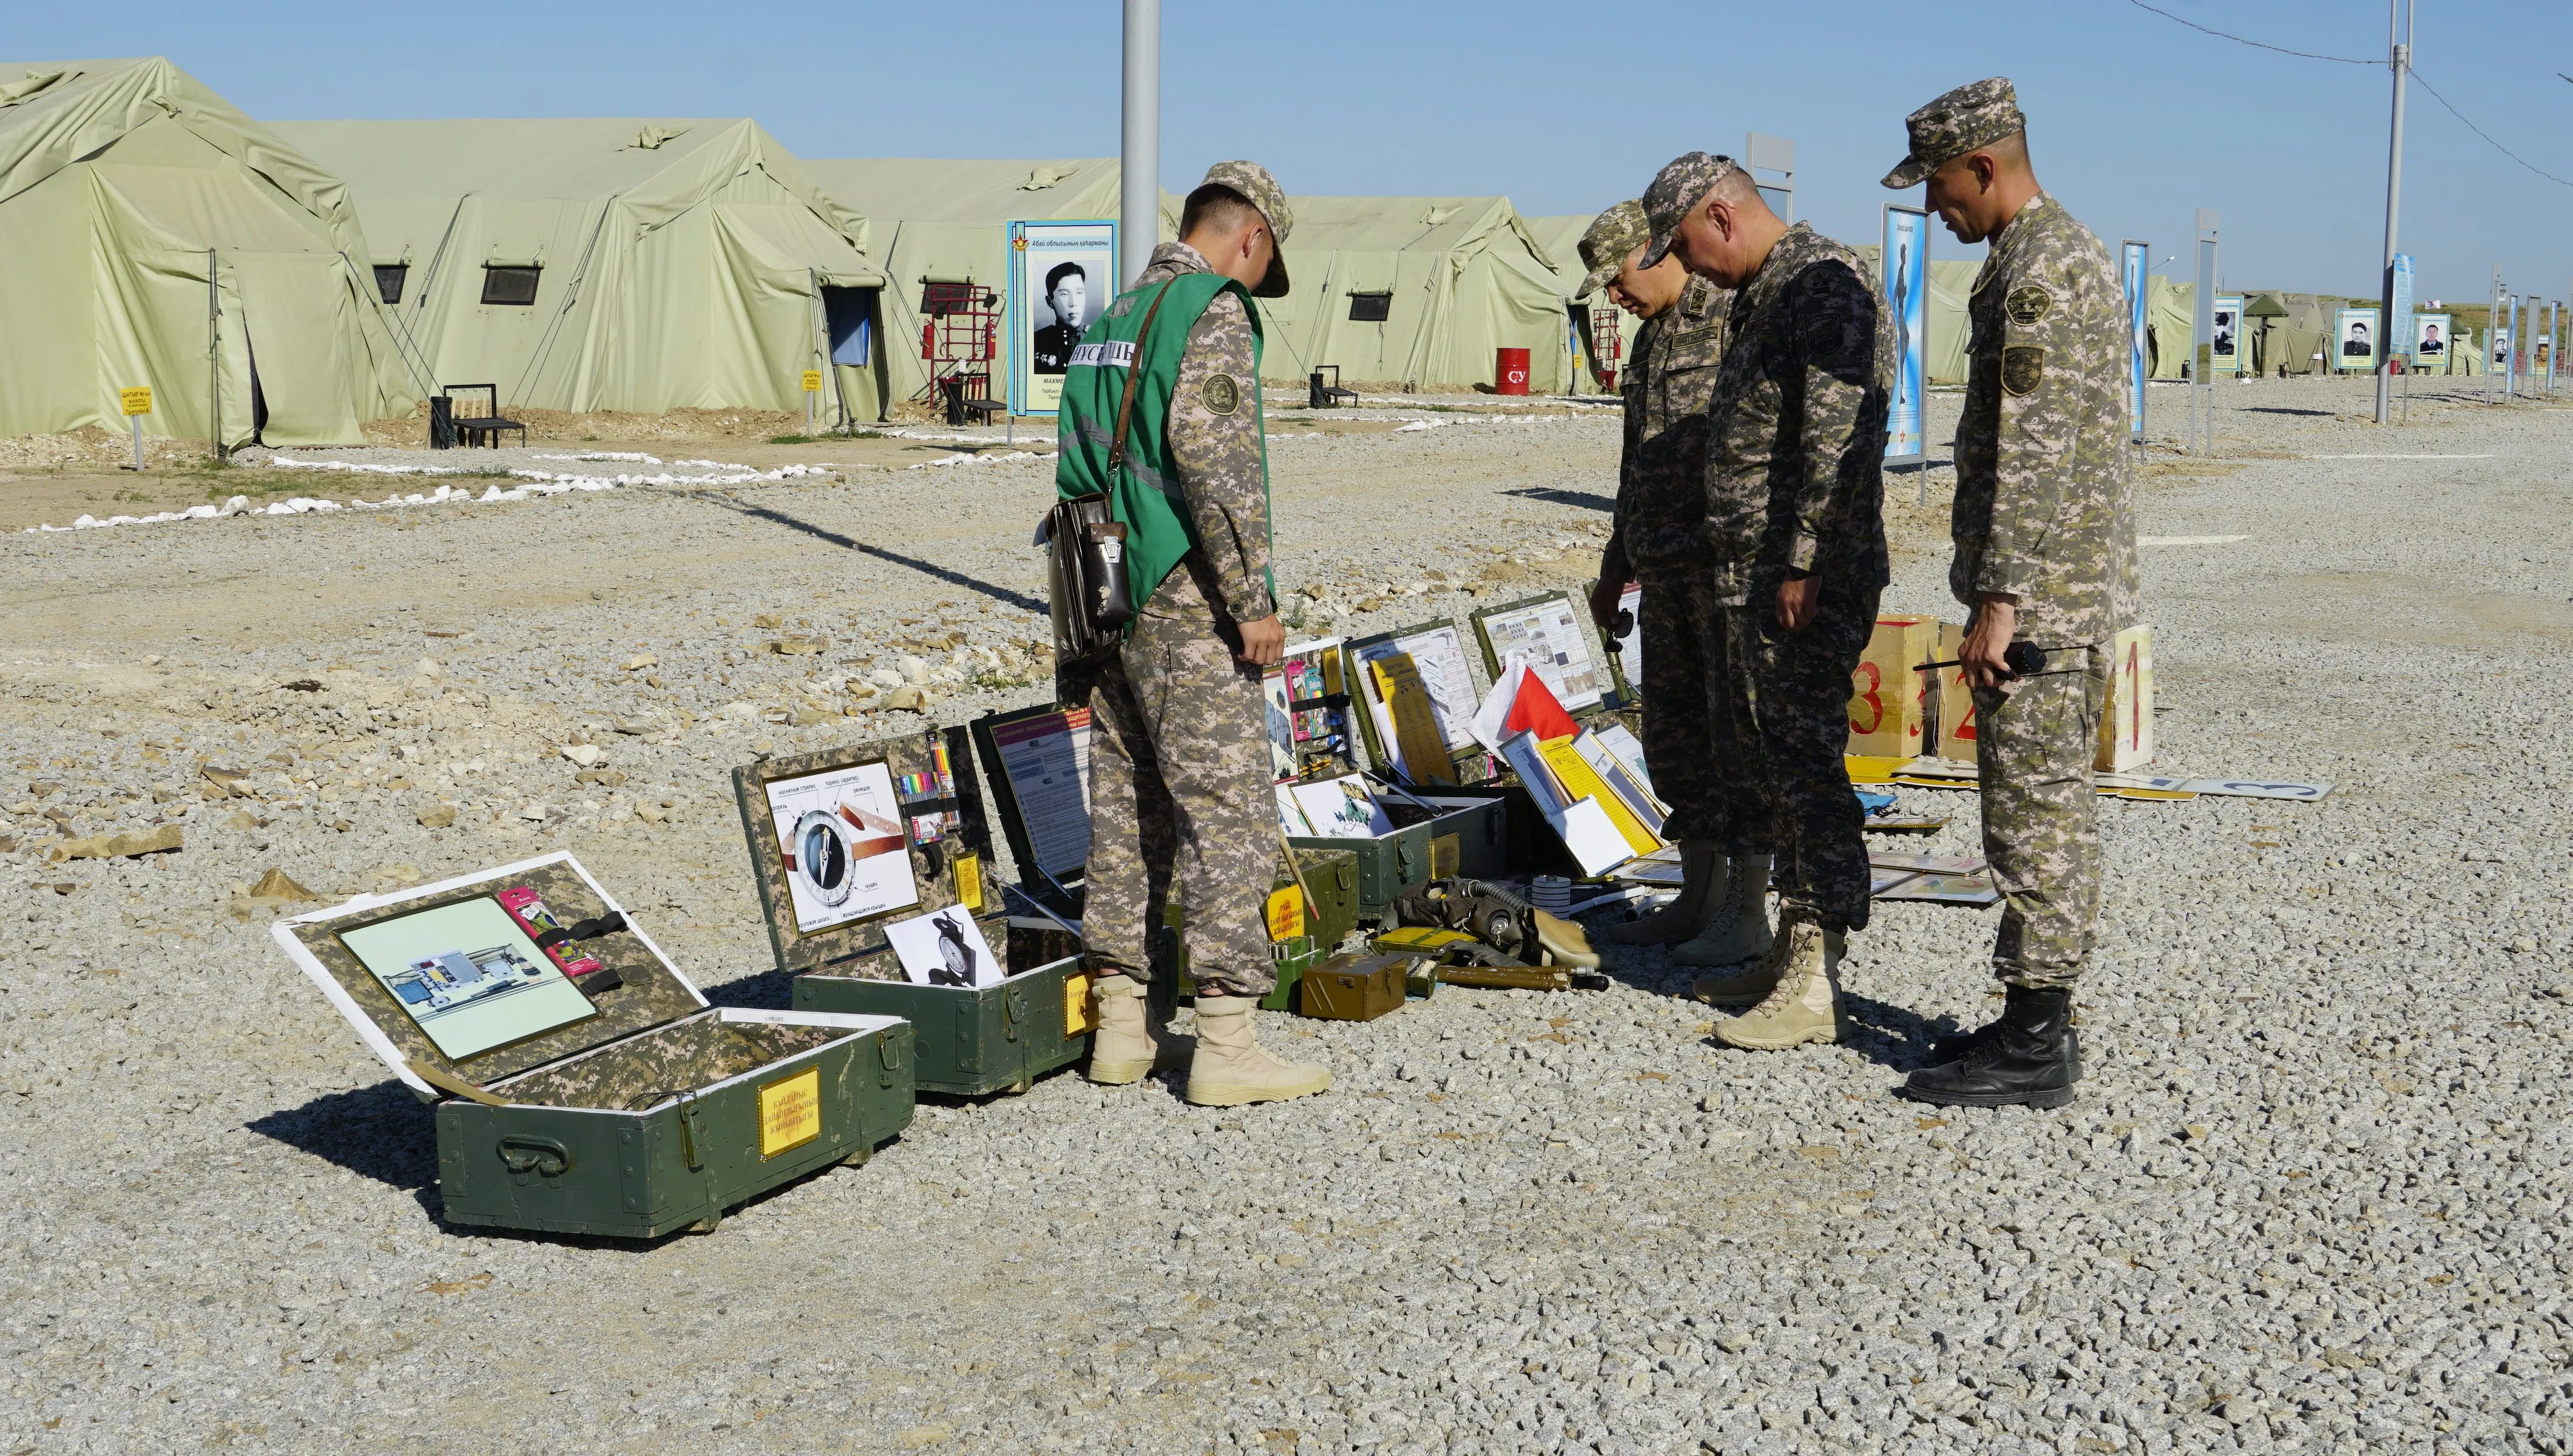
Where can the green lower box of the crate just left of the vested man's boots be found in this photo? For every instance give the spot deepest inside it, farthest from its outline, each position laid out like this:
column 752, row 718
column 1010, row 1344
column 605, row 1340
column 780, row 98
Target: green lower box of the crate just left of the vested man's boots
column 969, row 1043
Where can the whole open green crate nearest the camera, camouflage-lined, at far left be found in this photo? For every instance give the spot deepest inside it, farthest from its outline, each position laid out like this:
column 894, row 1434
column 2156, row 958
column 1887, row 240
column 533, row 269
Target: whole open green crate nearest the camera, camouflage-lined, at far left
column 652, row 1113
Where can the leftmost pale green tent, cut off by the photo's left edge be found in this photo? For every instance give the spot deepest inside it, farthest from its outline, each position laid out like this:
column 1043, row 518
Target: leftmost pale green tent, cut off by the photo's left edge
column 158, row 238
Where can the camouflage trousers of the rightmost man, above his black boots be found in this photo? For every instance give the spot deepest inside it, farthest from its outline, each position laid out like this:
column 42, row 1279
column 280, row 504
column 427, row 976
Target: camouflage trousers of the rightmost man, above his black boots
column 2042, row 822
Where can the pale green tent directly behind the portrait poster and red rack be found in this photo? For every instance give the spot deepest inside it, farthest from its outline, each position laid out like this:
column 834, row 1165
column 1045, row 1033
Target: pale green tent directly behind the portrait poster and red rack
column 948, row 223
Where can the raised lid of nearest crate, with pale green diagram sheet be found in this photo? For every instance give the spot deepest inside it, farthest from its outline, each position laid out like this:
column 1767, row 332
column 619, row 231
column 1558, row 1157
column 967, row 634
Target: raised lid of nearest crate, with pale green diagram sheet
column 398, row 963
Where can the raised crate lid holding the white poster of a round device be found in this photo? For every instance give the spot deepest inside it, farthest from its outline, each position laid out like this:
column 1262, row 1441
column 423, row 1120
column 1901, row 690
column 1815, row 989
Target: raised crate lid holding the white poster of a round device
column 825, row 832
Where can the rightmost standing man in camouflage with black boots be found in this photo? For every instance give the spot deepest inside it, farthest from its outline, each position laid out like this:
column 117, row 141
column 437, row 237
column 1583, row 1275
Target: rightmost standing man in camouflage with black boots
column 2044, row 554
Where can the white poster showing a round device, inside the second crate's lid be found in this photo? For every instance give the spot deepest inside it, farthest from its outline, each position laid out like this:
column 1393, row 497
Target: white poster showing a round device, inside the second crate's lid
column 845, row 848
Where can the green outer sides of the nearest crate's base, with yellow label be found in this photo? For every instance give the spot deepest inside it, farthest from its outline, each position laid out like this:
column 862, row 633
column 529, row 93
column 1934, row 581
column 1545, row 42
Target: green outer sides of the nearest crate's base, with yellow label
column 627, row 1174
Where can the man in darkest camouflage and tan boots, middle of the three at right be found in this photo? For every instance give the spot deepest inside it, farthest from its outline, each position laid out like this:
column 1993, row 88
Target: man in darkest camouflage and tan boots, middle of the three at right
column 1795, row 518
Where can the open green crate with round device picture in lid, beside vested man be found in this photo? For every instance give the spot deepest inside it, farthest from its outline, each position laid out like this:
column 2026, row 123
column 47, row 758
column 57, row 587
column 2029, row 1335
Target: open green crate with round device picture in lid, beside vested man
column 969, row 1041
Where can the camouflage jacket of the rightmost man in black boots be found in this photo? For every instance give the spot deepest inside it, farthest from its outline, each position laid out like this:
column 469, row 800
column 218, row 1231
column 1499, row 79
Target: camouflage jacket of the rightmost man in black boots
column 2044, row 487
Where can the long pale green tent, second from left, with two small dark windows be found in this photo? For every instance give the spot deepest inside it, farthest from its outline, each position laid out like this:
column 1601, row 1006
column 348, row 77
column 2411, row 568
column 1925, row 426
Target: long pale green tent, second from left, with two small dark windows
column 611, row 264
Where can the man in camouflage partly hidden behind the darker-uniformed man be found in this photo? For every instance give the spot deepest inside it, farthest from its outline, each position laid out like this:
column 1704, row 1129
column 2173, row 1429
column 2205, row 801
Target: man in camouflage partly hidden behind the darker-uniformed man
column 1694, row 724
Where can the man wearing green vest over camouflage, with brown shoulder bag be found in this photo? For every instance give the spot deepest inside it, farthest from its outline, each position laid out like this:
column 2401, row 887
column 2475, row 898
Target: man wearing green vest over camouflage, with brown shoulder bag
column 1182, row 804
